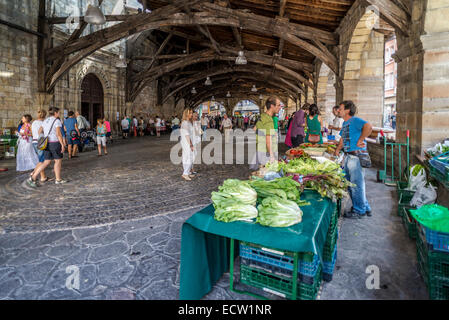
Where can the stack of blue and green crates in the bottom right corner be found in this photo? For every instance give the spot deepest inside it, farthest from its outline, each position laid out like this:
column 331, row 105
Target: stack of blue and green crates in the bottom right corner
column 433, row 261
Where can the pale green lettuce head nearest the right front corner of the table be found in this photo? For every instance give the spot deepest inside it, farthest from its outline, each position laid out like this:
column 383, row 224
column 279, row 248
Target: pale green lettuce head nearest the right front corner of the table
column 277, row 212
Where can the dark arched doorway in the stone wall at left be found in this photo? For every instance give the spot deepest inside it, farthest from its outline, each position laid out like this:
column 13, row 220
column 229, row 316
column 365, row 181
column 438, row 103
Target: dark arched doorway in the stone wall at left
column 92, row 99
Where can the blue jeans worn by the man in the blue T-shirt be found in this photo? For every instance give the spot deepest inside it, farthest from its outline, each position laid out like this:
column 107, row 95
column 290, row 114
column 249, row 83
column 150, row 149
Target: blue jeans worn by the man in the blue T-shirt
column 355, row 174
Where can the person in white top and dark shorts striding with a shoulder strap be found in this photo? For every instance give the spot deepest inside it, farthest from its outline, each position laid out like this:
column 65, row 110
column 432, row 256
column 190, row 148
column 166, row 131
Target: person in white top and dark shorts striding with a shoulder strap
column 51, row 128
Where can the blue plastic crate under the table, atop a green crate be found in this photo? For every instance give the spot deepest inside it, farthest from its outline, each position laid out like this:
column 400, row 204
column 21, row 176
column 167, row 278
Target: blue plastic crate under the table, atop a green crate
column 280, row 261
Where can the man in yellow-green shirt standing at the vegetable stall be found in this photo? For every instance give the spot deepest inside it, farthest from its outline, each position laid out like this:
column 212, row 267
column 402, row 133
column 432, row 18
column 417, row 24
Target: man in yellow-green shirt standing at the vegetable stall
column 266, row 135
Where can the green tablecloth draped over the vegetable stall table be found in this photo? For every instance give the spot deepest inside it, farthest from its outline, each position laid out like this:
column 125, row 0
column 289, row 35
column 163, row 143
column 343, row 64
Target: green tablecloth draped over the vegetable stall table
column 205, row 242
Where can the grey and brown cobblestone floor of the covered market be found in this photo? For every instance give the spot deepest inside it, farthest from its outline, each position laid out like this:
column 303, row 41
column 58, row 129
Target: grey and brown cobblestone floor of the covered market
column 119, row 222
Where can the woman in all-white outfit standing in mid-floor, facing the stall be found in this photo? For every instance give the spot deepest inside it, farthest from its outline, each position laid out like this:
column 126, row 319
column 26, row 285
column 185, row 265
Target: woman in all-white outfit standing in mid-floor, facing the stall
column 187, row 144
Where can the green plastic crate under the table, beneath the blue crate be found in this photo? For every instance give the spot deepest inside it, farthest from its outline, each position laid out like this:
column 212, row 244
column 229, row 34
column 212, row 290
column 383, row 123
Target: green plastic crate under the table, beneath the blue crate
column 283, row 285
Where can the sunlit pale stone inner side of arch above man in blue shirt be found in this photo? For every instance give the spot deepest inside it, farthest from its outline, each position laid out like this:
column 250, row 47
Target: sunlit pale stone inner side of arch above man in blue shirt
column 363, row 70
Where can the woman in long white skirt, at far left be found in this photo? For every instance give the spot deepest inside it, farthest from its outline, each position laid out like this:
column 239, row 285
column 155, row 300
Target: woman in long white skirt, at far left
column 27, row 158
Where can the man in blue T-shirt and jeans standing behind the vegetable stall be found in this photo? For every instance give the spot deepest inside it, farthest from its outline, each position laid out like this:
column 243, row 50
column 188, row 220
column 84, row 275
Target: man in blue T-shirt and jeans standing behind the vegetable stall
column 353, row 134
